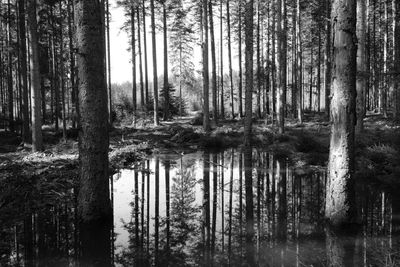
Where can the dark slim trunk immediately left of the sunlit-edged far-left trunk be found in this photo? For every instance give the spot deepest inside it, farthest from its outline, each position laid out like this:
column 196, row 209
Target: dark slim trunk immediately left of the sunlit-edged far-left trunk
column 24, row 71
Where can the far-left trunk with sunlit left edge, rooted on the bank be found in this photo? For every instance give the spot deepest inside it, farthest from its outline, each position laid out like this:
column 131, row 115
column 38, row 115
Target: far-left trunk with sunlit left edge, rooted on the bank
column 36, row 101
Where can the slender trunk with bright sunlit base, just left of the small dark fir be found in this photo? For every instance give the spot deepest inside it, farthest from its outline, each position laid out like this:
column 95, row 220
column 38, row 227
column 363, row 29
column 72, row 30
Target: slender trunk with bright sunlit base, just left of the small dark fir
column 155, row 77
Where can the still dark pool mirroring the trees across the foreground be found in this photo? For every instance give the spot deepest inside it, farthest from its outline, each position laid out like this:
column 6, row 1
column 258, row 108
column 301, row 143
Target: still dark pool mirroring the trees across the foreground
column 230, row 208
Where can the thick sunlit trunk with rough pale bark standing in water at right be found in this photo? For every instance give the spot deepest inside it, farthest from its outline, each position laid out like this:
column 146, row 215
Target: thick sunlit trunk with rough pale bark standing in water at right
column 340, row 193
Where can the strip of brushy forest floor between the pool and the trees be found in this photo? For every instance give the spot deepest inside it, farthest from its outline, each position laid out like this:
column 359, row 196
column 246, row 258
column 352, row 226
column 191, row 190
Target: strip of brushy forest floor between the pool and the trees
column 305, row 145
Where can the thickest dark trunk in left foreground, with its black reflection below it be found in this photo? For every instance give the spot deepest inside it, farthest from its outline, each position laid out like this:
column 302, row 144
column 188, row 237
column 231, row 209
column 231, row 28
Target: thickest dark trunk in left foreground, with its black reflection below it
column 94, row 209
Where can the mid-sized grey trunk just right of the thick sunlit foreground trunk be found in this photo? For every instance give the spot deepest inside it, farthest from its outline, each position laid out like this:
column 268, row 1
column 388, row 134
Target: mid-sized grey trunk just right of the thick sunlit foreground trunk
column 361, row 63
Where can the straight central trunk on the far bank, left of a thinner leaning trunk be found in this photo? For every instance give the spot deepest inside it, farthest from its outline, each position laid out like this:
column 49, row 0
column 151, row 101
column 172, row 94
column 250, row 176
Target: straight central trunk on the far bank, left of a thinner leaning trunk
column 206, row 112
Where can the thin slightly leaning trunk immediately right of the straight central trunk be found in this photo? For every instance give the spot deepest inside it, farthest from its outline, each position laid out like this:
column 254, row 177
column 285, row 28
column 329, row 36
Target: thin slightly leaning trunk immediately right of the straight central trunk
column 213, row 65
